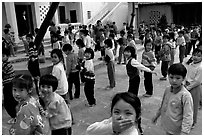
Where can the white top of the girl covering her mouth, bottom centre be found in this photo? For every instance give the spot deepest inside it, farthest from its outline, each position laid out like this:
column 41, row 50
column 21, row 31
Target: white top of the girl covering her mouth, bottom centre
column 105, row 128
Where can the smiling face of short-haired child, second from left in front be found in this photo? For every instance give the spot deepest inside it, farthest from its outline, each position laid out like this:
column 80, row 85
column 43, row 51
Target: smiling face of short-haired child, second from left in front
column 45, row 91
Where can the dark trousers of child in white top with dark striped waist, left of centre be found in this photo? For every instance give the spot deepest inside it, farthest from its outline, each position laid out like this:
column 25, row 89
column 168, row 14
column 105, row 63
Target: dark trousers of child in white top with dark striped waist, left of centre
column 89, row 91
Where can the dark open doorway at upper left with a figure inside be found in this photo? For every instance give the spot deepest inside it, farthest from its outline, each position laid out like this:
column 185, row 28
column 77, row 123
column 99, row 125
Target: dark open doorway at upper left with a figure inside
column 24, row 19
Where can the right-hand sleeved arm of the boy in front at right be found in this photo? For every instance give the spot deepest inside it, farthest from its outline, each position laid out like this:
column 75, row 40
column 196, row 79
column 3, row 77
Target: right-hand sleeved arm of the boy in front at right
column 187, row 122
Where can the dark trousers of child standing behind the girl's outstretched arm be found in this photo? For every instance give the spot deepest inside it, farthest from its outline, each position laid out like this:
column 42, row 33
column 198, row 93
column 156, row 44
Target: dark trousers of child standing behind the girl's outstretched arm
column 148, row 83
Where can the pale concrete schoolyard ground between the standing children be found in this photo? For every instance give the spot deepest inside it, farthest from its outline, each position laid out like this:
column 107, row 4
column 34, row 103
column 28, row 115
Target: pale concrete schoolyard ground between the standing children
column 84, row 116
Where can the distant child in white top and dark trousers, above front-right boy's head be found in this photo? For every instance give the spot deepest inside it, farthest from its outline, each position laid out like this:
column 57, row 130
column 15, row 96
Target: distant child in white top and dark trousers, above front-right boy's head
column 180, row 41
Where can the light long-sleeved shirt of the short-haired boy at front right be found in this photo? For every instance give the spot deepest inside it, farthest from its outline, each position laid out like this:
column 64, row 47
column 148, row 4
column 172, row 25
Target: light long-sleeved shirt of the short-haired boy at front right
column 177, row 111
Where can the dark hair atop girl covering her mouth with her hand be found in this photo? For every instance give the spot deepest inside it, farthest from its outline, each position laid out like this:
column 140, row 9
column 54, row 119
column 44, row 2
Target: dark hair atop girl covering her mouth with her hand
column 131, row 99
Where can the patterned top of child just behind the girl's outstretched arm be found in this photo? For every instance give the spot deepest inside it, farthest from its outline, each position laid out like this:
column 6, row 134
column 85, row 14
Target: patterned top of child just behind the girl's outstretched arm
column 148, row 62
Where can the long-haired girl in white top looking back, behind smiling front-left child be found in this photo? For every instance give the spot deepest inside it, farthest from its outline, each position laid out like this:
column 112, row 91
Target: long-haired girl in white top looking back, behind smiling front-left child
column 59, row 72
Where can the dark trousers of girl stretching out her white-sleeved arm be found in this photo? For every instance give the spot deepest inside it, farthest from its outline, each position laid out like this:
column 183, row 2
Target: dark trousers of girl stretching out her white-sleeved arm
column 134, row 85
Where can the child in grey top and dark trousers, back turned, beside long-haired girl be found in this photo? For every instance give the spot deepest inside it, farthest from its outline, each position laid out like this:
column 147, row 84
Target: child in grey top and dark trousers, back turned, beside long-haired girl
column 72, row 71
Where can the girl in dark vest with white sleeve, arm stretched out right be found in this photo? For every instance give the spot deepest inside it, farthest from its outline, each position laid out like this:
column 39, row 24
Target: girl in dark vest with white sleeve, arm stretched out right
column 133, row 67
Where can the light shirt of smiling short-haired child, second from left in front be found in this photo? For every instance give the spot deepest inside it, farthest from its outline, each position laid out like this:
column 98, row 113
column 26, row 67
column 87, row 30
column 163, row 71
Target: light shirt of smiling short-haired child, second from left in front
column 59, row 113
